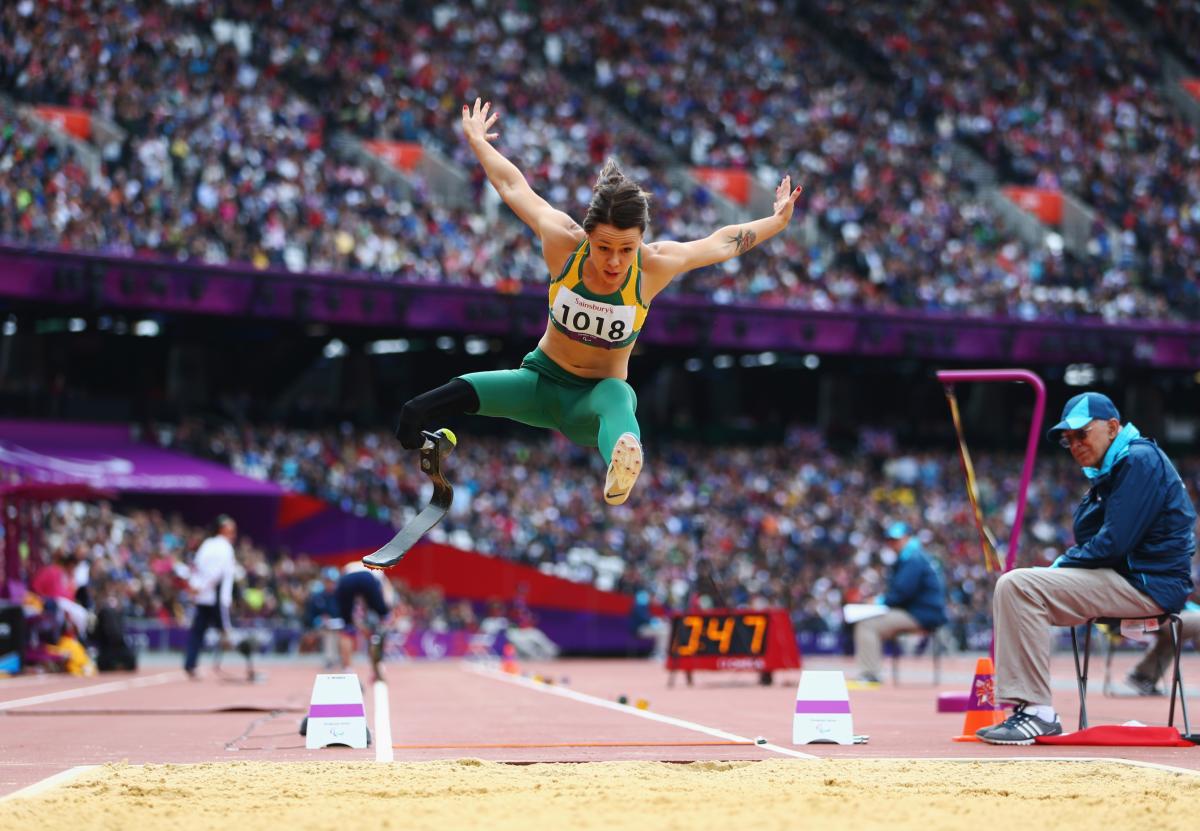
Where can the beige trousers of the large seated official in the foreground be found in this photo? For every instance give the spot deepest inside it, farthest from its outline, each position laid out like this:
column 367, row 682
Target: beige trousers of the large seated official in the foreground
column 1030, row 601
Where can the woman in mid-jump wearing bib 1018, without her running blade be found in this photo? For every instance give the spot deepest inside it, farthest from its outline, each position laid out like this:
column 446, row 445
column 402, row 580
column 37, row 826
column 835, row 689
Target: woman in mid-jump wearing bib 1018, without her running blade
column 604, row 277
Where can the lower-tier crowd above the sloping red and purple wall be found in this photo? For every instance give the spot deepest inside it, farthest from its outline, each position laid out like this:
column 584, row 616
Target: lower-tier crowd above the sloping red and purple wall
column 795, row 524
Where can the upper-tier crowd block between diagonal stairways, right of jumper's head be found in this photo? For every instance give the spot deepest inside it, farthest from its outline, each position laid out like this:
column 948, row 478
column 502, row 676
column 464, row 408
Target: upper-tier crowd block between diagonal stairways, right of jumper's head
column 908, row 230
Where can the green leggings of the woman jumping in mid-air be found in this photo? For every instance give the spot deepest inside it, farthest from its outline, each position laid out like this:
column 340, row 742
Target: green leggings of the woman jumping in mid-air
column 543, row 394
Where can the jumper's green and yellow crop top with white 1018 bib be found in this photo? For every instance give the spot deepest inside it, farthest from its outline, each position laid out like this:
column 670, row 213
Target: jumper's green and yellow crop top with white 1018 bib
column 607, row 321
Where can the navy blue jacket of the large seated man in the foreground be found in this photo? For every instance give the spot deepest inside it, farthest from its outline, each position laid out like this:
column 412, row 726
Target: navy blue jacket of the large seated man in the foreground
column 1138, row 521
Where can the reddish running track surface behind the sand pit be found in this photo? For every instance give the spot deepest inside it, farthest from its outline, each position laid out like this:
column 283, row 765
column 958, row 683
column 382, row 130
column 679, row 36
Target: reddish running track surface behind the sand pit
column 52, row 724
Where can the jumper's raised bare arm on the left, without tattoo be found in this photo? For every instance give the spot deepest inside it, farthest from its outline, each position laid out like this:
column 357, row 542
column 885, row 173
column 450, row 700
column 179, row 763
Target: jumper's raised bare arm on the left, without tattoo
column 511, row 183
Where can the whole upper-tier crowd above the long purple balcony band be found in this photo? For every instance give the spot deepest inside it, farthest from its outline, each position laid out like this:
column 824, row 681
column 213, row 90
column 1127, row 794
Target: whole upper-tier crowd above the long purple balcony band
column 230, row 157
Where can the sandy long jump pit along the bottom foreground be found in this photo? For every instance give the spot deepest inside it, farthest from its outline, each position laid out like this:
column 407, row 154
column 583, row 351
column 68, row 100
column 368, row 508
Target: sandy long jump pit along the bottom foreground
column 614, row 796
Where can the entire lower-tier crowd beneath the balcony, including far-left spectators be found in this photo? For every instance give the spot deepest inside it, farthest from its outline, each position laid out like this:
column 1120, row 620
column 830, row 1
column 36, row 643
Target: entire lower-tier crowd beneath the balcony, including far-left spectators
column 793, row 525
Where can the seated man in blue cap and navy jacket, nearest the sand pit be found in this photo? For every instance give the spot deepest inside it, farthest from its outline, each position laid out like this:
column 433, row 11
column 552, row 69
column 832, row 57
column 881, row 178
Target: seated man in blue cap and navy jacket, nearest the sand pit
column 1135, row 541
